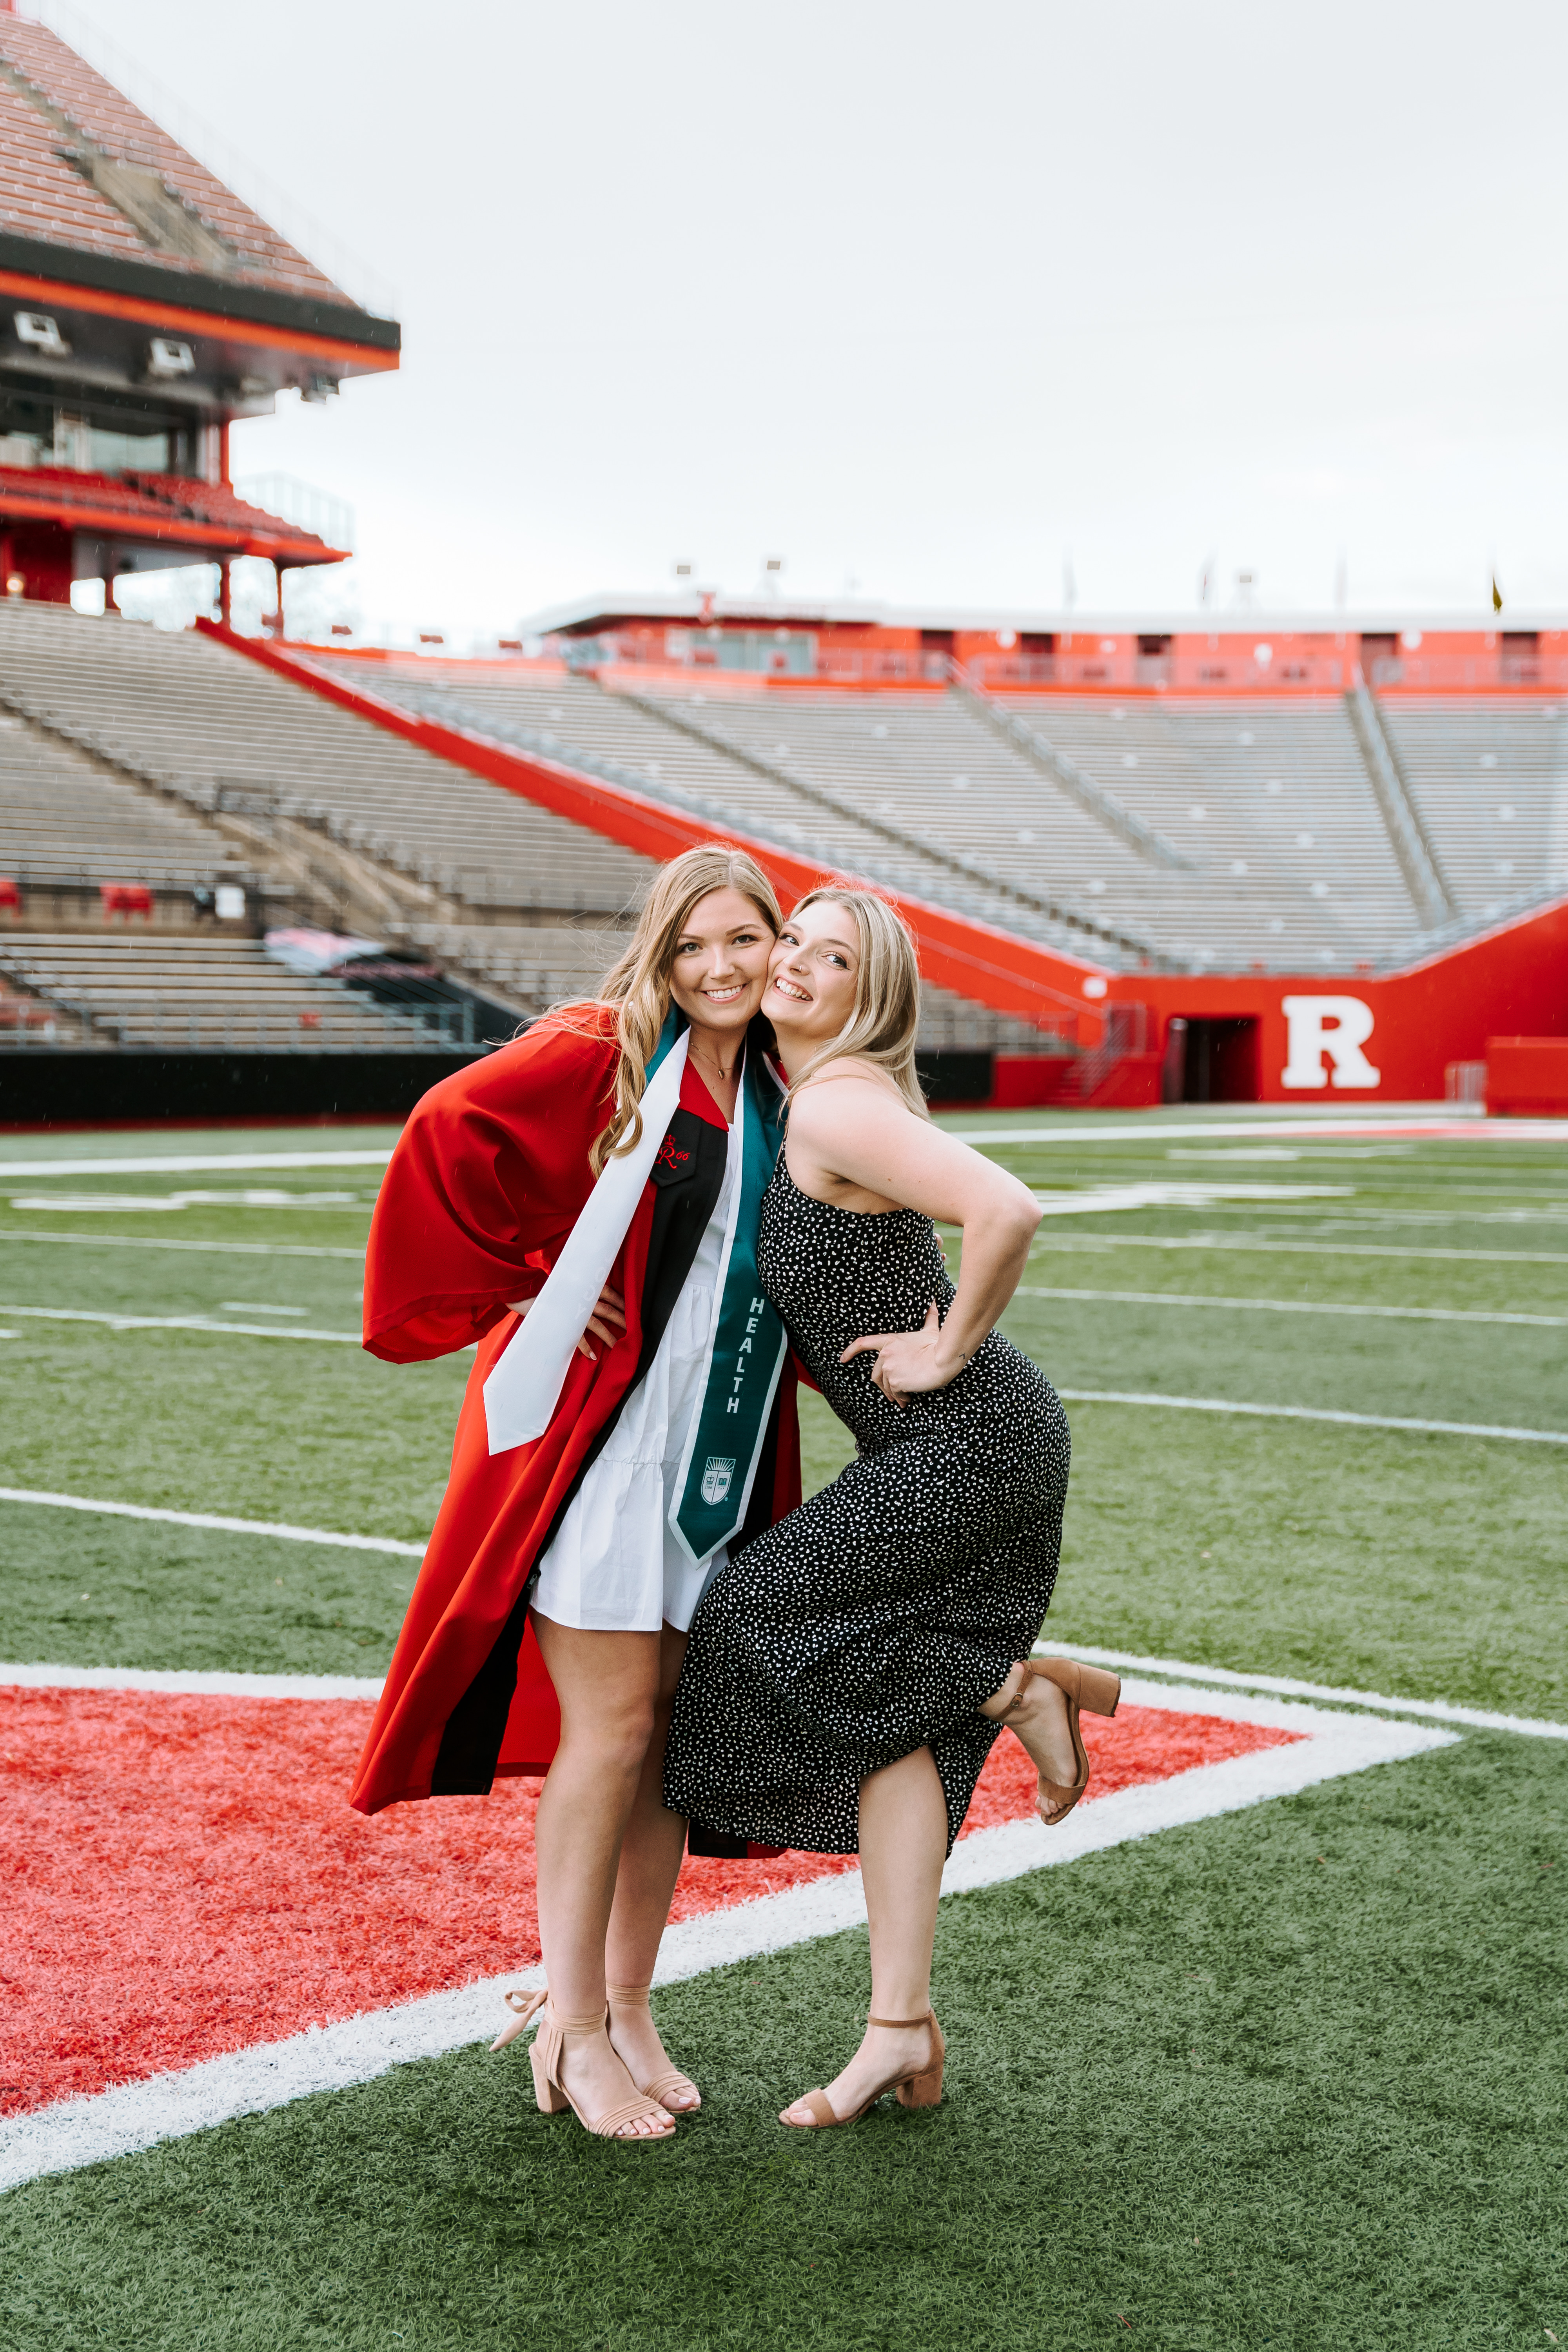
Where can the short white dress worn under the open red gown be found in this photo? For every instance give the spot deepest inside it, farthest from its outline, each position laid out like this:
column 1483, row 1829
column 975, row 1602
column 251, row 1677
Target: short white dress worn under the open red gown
column 617, row 1565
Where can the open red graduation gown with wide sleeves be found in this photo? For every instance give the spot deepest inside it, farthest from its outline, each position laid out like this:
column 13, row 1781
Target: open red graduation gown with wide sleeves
column 481, row 1196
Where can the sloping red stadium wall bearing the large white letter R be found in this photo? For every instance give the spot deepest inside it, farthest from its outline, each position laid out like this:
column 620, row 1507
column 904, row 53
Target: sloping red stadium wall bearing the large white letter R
column 1313, row 1041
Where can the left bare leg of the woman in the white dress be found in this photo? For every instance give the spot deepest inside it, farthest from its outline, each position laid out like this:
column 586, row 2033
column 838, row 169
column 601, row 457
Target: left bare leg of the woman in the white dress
column 608, row 1690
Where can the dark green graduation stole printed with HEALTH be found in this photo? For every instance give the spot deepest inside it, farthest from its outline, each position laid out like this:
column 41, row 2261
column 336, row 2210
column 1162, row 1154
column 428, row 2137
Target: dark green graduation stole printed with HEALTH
column 746, row 1342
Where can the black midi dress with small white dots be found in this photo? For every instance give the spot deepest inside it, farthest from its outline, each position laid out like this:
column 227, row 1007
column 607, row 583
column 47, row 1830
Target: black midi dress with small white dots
column 880, row 1615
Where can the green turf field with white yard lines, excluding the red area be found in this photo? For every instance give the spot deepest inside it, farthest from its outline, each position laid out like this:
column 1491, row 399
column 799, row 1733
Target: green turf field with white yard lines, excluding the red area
column 1289, row 2078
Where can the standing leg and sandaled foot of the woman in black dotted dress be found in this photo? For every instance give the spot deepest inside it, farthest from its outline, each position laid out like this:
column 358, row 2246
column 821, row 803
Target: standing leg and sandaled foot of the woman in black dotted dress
column 904, row 1845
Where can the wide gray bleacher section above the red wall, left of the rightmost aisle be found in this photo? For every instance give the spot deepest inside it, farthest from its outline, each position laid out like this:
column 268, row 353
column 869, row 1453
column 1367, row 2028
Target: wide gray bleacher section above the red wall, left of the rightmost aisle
column 1287, row 862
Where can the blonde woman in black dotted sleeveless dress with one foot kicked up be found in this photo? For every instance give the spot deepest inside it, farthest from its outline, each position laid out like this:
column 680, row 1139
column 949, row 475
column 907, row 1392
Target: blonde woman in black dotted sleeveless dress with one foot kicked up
column 852, row 1669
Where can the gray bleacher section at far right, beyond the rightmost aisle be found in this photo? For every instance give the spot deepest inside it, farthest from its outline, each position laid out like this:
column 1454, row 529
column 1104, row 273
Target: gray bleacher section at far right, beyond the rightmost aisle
column 1492, row 780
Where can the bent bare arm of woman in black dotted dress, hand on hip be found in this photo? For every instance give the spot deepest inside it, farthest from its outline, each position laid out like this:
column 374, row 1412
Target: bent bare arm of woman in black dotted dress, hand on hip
column 859, row 1137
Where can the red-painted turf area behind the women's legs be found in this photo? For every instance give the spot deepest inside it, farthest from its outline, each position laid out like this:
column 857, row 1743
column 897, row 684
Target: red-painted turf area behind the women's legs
column 187, row 1876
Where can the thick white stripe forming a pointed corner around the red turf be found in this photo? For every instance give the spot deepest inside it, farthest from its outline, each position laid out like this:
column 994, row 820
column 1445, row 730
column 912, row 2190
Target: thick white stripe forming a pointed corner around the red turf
column 140, row 2116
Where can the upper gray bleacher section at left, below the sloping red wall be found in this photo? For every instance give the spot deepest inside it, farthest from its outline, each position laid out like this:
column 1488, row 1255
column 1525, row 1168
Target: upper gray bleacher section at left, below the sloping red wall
column 199, row 719
